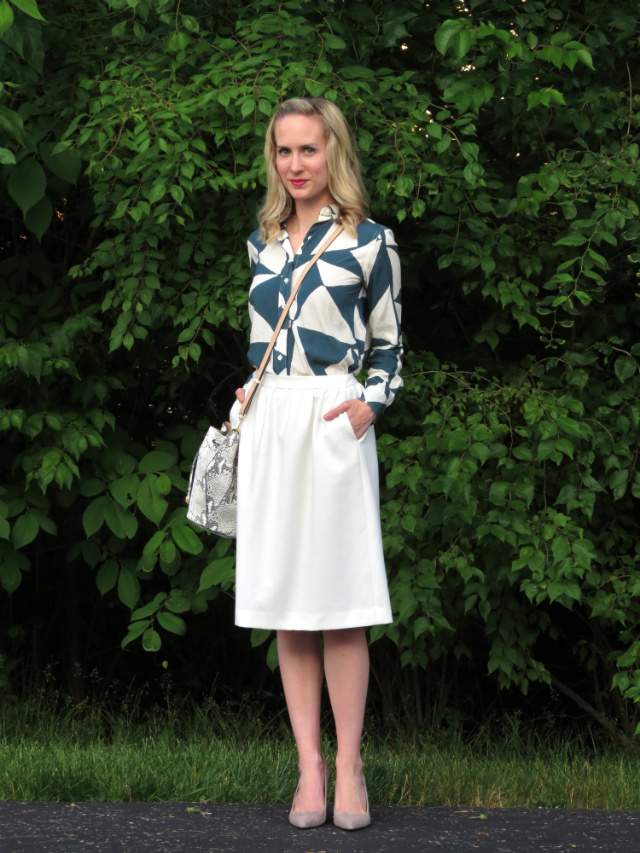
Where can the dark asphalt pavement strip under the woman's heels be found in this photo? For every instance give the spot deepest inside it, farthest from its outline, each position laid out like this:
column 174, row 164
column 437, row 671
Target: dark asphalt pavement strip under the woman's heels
column 228, row 828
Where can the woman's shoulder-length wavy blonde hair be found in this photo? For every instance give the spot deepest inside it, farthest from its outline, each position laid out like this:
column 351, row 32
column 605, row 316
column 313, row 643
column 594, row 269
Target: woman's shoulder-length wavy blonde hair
column 345, row 178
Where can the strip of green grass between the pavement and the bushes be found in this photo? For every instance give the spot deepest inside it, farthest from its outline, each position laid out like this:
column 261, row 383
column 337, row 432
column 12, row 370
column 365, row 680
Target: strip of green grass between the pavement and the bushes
column 232, row 755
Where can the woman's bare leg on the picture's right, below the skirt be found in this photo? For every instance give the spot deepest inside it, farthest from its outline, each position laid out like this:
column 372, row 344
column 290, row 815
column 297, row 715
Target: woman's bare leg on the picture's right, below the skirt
column 346, row 666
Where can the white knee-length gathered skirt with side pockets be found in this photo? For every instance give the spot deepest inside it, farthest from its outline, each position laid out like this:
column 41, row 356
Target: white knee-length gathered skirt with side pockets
column 309, row 549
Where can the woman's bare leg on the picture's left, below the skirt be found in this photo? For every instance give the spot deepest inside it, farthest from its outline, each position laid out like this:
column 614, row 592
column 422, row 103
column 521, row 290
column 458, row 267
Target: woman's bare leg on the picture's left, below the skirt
column 301, row 670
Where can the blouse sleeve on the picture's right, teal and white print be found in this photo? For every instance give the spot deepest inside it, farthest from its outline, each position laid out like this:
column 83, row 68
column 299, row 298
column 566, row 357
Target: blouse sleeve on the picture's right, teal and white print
column 383, row 336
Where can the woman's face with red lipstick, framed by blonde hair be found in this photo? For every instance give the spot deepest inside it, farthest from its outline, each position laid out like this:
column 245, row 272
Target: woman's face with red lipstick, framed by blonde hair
column 301, row 159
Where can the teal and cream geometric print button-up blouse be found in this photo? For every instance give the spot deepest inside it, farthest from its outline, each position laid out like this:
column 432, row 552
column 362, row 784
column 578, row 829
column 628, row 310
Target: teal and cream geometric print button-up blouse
column 346, row 314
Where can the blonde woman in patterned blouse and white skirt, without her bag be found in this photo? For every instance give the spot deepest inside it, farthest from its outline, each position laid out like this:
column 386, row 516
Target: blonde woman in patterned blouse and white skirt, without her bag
column 309, row 555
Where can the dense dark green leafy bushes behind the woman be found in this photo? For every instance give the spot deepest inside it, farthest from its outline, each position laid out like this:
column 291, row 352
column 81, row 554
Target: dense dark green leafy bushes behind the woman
column 499, row 142
